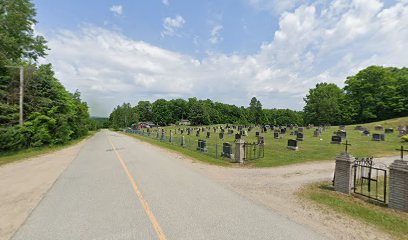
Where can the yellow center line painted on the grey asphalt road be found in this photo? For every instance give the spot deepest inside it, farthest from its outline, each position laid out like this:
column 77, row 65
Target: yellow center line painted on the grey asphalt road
column 139, row 195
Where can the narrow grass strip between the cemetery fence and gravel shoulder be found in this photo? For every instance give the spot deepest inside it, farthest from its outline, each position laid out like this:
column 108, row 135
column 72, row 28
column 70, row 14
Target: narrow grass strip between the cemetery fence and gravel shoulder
column 187, row 152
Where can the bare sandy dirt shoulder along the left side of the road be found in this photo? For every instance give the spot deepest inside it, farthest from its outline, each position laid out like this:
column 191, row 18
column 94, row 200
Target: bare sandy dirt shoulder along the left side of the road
column 24, row 183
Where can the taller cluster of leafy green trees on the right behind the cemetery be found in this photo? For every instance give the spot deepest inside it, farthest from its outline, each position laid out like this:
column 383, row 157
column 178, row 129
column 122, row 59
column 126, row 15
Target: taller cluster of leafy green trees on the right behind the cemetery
column 373, row 94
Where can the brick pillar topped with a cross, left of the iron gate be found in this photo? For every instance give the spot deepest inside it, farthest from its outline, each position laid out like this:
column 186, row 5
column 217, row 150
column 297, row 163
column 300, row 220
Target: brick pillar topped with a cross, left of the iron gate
column 343, row 173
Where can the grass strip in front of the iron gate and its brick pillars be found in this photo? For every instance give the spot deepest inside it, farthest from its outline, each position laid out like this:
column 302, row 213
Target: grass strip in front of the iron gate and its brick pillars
column 379, row 216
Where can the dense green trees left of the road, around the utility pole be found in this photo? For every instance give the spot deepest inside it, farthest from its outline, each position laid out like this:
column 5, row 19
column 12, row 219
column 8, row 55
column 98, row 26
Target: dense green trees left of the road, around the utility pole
column 52, row 115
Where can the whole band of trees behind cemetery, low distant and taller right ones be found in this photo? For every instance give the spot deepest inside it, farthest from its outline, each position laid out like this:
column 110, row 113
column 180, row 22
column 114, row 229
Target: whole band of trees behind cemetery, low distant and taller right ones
column 374, row 94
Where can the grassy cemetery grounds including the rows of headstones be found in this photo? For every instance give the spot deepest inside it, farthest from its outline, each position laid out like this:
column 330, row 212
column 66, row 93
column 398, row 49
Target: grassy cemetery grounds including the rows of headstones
column 280, row 146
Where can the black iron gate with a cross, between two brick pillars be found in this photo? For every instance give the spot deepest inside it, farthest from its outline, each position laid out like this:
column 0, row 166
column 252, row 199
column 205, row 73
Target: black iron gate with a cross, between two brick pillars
column 370, row 181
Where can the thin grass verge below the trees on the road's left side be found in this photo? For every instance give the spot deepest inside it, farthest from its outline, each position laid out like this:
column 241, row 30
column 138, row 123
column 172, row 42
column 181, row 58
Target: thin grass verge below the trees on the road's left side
column 13, row 156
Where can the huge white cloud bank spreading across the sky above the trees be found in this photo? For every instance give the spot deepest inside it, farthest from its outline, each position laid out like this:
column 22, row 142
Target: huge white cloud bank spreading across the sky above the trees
column 310, row 46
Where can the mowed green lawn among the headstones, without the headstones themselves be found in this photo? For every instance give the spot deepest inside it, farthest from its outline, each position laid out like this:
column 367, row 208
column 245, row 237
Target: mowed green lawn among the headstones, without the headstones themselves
column 311, row 149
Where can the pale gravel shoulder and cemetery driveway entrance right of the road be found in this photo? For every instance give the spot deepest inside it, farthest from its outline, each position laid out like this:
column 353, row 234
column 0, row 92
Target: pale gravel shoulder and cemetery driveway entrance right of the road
column 277, row 188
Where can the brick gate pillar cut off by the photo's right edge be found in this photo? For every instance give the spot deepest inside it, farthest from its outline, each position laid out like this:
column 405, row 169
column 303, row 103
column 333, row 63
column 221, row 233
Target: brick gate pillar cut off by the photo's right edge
column 399, row 185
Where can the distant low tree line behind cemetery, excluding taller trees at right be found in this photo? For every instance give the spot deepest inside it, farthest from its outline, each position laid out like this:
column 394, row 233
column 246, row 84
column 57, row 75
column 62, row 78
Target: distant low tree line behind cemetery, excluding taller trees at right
column 200, row 112
